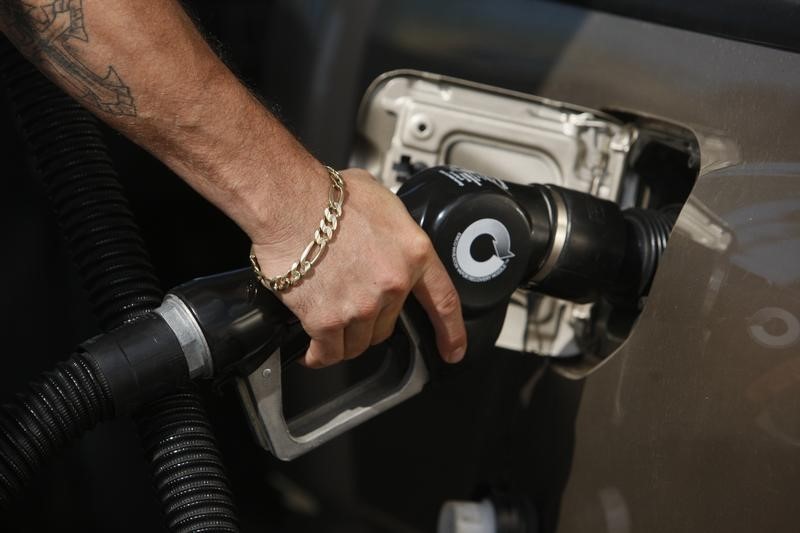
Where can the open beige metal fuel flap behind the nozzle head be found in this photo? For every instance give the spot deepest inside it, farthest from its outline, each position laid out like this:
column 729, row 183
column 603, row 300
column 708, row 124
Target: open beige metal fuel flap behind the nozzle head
column 412, row 120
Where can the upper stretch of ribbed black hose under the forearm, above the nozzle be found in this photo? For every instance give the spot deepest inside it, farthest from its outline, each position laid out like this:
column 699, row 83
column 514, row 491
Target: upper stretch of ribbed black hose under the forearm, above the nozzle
column 69, row 156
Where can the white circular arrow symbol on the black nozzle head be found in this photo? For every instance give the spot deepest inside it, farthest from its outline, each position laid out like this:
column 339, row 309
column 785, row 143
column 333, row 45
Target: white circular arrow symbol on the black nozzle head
column 473, row 269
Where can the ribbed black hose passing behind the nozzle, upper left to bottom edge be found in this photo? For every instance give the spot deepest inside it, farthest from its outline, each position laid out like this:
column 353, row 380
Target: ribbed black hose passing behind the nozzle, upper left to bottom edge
column 70, row 157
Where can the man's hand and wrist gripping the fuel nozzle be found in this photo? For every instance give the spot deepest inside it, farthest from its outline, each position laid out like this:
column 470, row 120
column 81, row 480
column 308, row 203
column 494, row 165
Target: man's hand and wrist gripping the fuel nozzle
column 353, row 296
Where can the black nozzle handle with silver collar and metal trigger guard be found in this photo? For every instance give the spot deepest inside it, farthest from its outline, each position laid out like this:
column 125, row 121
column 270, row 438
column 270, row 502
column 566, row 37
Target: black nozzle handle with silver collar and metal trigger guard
column 231, row 324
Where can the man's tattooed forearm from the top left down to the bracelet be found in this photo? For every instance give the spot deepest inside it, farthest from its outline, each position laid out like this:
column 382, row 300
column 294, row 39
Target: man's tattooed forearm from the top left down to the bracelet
column 142, row 66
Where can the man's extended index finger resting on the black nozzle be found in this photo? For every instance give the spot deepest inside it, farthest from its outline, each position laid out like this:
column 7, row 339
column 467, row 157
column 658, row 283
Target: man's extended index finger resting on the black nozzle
column 437, row 295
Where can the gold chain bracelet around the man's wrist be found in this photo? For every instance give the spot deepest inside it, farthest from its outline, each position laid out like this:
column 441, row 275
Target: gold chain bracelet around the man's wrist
column 312, row 252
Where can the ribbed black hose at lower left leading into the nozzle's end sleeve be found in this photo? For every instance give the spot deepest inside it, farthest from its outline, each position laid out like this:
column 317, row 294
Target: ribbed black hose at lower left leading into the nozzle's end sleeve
column 67, row 401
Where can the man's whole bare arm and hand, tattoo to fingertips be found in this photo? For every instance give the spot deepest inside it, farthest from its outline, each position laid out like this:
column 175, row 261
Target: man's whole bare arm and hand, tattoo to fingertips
column 142, row 66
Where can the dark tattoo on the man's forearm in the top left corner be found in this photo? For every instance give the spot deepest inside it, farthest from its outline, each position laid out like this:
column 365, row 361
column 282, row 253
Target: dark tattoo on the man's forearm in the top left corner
column 49, row 30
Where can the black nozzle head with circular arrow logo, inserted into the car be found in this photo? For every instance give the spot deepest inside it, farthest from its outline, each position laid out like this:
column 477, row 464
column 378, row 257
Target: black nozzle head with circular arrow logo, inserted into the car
column 495, row 237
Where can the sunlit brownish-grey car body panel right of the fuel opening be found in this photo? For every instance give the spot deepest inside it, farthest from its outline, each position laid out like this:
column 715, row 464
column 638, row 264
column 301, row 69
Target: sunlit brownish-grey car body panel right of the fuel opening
column 691, row 425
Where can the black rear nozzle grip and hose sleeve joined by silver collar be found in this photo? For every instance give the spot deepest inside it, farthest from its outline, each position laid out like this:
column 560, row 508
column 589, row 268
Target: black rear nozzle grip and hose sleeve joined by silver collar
column 204, row 328
